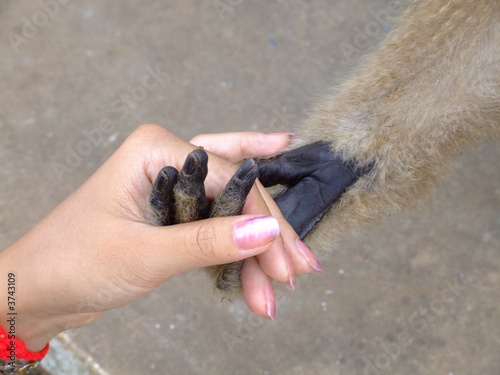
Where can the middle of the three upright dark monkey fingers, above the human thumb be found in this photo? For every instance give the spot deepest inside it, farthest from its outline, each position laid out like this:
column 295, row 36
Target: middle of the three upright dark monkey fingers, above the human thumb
column 190, row 198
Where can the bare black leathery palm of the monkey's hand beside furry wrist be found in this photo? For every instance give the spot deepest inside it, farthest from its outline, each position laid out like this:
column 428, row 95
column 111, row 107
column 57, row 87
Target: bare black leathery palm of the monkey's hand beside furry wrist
column 314, row 177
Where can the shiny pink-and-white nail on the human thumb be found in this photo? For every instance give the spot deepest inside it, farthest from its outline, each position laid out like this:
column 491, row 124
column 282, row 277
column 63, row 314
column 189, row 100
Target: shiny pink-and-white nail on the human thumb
column 255, row 232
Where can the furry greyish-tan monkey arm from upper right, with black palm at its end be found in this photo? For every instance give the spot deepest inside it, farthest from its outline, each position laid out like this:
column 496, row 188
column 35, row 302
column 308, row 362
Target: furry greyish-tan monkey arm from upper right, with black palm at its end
column 432, row 88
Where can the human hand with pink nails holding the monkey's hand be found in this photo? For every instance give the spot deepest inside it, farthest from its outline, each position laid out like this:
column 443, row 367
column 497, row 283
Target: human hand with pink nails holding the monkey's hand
column 96, row 251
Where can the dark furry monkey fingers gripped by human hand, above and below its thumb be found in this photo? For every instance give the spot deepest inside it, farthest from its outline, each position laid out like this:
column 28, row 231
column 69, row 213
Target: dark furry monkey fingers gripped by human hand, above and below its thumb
column 180, row 198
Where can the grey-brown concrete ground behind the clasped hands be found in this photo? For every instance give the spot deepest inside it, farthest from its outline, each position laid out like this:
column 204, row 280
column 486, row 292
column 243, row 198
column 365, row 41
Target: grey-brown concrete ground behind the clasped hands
column 418, row 294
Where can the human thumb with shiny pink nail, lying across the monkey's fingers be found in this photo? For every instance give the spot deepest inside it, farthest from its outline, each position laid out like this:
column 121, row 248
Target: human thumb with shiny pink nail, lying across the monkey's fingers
column 214, row 241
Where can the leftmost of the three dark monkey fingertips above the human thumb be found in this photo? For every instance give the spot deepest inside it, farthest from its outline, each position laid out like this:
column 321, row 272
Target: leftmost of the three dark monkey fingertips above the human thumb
column 161, row 199
